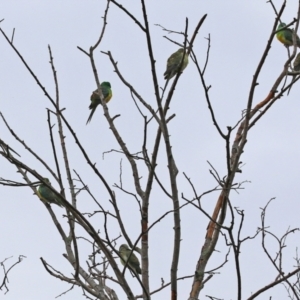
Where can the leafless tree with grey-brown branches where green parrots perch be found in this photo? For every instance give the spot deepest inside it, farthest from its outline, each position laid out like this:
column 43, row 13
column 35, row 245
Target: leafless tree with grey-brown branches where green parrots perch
column 99, row 273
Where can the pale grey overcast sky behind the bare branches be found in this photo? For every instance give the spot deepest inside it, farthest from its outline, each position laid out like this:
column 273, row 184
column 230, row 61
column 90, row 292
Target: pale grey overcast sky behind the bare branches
column 239, row 31
